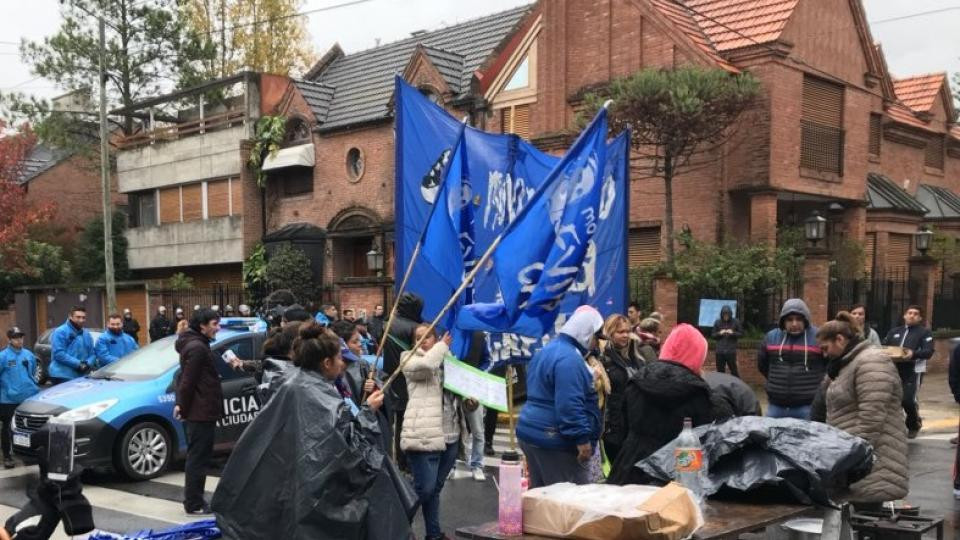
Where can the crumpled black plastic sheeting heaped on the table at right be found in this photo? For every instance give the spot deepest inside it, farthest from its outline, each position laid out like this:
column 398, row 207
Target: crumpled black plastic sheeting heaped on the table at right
column 795, row 459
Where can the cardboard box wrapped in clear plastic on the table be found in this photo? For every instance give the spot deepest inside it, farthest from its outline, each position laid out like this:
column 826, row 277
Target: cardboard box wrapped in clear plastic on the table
column 609, row 512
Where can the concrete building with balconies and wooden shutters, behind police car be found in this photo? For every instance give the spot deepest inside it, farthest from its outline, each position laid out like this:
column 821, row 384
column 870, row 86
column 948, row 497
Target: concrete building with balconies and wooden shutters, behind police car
column 194, row 208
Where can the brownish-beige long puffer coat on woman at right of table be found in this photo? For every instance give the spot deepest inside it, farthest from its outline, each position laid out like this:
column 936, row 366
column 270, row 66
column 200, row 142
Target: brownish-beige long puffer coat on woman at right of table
column 864, row 400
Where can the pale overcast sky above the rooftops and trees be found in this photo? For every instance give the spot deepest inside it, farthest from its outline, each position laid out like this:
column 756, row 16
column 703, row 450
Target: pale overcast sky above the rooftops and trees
column 918, row 44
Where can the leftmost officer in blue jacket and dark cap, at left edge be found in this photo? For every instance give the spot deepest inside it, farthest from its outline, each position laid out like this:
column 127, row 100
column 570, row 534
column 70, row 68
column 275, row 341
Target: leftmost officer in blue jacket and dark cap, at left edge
column 17, row 368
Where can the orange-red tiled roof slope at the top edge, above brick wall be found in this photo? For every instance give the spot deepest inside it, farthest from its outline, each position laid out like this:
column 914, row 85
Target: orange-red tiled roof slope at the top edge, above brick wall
column 732, row 24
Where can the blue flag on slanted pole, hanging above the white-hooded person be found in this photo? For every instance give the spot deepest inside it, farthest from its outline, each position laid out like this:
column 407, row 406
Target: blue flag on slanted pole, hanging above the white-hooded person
column 543, row 252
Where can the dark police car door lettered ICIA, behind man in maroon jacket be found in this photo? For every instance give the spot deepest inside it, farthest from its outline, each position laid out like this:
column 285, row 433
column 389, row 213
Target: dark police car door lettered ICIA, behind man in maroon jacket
column 240, row 401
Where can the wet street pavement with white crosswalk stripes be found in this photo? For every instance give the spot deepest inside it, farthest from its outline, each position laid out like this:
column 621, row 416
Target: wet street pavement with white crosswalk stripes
column 121, row 506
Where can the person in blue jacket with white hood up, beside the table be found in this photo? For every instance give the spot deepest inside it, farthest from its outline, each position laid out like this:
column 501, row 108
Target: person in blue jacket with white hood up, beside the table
column 561, row 422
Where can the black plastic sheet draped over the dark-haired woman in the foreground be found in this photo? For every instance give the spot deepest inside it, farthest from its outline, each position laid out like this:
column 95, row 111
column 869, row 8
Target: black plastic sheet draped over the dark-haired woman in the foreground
column 305, row 468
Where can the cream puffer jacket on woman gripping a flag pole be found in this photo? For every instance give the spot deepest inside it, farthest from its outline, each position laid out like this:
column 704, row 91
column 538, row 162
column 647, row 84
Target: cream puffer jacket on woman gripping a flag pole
column 429, row 424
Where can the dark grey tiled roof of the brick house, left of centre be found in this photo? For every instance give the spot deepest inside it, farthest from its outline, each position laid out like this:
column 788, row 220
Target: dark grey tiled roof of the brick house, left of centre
column 362, row 82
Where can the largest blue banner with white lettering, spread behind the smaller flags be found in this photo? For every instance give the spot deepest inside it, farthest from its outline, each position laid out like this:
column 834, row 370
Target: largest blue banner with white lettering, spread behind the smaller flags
column 504, row 174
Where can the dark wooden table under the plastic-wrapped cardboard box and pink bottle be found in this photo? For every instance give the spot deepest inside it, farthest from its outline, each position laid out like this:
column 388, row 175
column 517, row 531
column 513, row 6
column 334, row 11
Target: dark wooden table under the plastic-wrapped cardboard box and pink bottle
column 723, row 521
